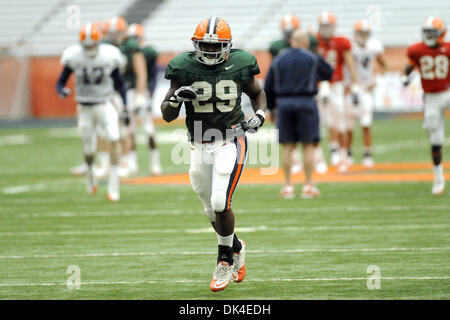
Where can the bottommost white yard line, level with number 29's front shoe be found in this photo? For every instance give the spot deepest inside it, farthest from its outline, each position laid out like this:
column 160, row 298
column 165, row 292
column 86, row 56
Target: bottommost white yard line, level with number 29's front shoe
column 162, row 281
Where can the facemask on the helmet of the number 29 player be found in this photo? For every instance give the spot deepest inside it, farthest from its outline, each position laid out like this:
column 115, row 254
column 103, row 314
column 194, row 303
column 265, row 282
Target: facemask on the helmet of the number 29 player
column 212, row 52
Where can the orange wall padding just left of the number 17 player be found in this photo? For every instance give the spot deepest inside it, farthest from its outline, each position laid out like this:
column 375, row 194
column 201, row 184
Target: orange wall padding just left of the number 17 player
column 45, row 103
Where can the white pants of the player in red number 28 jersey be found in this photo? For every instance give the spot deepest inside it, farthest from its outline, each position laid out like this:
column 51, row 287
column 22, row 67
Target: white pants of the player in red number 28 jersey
column 434, row 115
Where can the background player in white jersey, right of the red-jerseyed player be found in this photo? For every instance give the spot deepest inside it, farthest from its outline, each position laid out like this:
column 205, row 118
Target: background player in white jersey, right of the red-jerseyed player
column 366, row 50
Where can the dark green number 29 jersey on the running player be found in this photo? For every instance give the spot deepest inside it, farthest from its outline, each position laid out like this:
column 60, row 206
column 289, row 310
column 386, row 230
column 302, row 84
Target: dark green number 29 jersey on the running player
column 218, row 89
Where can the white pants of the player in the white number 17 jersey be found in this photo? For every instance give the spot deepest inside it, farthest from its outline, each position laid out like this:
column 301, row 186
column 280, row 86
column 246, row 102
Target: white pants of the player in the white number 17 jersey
column 102, row 117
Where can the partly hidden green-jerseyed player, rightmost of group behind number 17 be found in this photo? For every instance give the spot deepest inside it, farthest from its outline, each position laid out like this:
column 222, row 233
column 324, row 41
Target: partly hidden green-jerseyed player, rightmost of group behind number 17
column 136, row 31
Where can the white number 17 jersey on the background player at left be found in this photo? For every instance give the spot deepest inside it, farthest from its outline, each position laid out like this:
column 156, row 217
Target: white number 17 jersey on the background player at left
column 93, row 82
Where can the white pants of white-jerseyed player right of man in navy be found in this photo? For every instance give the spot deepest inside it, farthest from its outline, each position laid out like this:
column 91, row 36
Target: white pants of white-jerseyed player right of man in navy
column 362, row 111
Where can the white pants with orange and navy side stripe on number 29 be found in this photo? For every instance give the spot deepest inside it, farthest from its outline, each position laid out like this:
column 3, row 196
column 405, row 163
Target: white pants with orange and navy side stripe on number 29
column 215, row 171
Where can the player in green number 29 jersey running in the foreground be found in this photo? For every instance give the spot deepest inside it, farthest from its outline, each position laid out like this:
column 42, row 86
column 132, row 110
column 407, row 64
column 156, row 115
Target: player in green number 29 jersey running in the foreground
column 210, row 82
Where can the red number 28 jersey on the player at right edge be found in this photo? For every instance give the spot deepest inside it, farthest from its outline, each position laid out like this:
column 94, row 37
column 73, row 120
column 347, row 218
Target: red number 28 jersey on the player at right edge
column 433, row 64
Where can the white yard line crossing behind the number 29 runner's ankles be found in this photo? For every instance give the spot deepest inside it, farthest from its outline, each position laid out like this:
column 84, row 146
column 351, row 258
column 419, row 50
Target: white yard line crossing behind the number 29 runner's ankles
column 196, row 253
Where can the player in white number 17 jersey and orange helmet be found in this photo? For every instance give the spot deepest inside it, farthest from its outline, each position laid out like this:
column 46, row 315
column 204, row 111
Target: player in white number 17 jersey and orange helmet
column 96, row 67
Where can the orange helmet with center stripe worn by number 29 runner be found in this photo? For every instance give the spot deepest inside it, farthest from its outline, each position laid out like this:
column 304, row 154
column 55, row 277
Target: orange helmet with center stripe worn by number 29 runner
column 212, row 41
